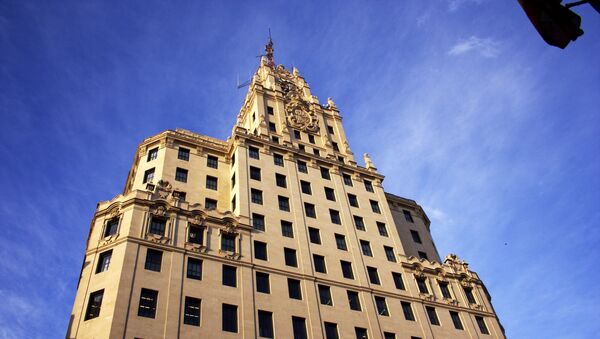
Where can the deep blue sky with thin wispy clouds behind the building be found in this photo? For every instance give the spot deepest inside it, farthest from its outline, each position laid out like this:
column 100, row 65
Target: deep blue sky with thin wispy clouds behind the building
column 460, row 104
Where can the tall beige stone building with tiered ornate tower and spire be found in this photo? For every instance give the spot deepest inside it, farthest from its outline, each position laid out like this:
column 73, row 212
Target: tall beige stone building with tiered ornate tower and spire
column 274, row 232
